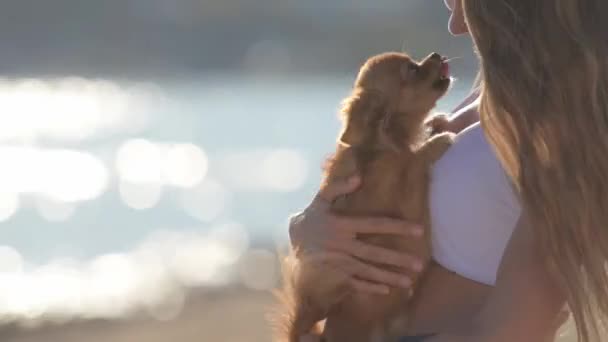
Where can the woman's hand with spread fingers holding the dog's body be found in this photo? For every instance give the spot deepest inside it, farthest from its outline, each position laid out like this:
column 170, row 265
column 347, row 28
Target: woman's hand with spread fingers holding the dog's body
column 332, row 238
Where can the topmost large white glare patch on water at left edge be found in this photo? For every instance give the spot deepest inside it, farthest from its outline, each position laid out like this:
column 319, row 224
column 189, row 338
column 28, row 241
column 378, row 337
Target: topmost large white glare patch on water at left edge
column 67, row 109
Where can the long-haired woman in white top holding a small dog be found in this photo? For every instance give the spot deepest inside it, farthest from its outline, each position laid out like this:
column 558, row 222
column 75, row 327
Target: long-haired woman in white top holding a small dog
column 544, row 106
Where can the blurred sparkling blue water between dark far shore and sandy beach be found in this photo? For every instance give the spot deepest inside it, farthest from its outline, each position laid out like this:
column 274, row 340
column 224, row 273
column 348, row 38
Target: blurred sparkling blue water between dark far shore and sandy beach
column 108, row 186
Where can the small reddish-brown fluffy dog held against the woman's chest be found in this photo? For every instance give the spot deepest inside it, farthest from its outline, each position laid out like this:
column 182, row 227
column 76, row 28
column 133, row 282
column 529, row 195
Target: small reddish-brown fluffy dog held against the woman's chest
column 385, row 140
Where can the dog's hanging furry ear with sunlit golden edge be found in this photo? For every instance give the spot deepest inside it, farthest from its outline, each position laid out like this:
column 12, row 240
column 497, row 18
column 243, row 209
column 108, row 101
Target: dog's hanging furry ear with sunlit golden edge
column 358, row 113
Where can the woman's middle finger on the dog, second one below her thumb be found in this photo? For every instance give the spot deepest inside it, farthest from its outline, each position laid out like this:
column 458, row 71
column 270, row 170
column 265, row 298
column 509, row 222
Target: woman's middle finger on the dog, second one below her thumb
column 376, row 254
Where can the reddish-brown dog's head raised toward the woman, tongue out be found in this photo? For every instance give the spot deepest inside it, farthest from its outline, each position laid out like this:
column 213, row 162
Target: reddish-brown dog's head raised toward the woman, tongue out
column 393, row 94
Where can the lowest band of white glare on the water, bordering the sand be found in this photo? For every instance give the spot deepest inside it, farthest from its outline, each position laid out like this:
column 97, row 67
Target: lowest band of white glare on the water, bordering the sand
column 153, row 277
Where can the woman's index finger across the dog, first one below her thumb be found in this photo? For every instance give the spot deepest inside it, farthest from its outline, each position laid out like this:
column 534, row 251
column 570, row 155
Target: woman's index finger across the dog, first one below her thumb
column 373, row 225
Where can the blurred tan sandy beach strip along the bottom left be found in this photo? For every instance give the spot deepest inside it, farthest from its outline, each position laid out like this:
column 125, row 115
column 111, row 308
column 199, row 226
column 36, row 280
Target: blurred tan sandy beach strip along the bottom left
column 228, row 315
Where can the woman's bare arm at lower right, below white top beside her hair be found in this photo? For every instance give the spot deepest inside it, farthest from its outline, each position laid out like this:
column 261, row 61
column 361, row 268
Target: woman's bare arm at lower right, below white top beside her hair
column 526, row 305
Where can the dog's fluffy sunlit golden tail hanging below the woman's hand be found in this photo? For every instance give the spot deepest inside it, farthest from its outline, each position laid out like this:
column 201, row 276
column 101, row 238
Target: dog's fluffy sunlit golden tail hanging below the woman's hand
column 295, row 315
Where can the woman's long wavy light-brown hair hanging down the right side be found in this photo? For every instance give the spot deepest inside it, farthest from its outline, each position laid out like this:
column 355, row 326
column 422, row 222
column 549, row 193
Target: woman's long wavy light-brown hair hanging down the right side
column 544, row 107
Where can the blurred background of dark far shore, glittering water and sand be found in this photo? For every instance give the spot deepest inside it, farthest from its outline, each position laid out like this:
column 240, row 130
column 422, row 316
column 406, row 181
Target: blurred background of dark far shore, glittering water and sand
column 152, row 150
